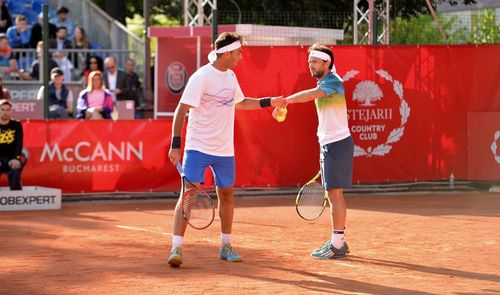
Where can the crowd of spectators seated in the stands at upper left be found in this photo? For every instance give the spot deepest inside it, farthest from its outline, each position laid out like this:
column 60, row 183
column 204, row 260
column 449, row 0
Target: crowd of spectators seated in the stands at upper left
column 103, row 82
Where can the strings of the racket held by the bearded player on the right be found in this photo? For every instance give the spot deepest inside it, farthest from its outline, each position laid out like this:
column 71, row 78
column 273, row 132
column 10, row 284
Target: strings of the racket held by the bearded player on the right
column 311, row 201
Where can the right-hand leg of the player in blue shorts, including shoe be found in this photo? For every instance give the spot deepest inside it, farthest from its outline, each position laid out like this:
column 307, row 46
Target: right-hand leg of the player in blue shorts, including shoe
column 224, row 172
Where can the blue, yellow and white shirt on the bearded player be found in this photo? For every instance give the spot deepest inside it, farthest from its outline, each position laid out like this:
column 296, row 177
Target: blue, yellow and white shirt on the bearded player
column 332, row 111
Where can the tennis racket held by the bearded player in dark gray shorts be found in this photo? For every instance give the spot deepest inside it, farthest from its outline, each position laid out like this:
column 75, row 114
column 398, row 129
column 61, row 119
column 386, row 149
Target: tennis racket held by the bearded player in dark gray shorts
column 311, row 199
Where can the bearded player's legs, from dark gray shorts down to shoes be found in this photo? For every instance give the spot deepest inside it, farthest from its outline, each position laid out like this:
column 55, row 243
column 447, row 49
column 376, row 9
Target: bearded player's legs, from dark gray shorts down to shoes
column 336, row 167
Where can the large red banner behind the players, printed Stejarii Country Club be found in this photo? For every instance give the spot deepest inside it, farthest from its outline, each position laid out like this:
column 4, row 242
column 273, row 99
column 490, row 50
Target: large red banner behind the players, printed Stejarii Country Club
column 407, row 109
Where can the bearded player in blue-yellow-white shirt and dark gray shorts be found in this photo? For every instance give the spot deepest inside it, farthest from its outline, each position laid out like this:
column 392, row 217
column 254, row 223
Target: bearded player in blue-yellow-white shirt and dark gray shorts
column 336, row 143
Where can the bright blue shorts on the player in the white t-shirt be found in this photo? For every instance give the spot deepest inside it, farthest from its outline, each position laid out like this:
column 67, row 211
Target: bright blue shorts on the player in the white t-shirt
column 196, row 162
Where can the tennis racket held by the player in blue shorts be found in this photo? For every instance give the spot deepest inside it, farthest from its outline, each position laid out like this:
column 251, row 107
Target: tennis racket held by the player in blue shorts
column 197, row 206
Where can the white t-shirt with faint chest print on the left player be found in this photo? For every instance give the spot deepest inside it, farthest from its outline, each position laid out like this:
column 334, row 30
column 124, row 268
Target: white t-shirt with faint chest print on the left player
column 212, row 95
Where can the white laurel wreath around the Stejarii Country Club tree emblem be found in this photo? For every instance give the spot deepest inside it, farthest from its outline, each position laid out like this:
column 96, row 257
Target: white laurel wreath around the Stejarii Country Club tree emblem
column 396, row 134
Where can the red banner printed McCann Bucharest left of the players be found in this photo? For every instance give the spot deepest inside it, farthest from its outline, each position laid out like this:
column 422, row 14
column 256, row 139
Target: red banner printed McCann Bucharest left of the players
column 88, row 156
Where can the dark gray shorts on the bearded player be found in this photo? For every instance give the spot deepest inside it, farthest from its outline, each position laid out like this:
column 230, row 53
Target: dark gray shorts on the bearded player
column 336, row 161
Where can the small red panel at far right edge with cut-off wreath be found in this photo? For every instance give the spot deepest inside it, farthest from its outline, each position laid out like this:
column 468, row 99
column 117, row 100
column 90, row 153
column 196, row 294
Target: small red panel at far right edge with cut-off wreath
column 483, row 146
